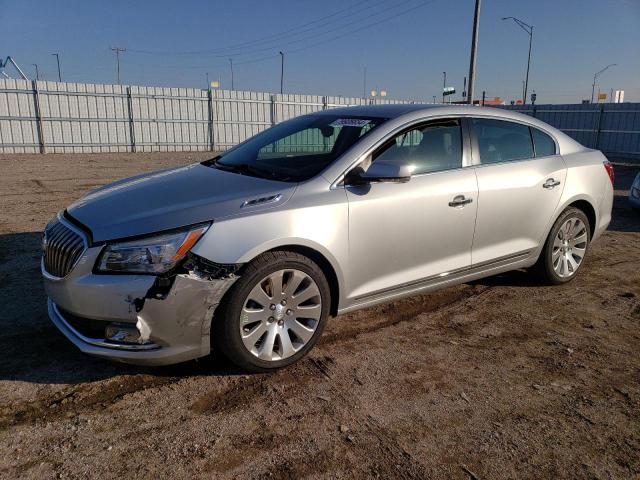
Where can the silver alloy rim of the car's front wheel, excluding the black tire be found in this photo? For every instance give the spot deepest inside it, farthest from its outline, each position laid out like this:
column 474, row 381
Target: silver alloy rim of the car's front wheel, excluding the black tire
column 280, row 314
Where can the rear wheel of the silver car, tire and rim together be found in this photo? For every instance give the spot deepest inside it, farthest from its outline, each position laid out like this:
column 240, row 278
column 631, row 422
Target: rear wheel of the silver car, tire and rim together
column 565, row 248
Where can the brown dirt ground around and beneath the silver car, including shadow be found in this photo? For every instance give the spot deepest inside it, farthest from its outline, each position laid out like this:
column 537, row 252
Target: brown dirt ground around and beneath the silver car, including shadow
column 502, row 378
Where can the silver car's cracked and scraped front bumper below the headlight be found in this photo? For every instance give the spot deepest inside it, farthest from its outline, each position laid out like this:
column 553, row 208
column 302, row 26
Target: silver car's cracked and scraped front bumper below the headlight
column 128, row 319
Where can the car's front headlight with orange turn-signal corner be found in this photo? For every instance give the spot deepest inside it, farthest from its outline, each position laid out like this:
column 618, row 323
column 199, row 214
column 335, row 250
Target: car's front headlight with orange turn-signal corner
column 152, row 254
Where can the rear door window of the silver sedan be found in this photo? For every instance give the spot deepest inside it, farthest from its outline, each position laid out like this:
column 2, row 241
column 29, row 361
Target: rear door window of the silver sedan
column 502, row 141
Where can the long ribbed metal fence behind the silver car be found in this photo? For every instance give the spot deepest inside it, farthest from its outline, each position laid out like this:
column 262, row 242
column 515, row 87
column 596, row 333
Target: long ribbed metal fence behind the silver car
column 55, row 117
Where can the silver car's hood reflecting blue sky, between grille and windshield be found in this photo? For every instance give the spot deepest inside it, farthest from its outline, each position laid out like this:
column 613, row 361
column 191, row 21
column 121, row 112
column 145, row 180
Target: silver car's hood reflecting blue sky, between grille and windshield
column 173, row 198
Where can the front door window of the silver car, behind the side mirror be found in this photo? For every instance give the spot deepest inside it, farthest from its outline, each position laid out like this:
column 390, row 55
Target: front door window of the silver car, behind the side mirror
column 429, row 148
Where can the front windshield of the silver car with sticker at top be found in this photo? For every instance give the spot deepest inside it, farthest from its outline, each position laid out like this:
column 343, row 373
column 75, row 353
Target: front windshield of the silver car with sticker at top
column 297, row 149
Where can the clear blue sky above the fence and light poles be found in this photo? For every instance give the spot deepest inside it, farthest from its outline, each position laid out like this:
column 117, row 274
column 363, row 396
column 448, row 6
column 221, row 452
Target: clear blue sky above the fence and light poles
column 405, row 45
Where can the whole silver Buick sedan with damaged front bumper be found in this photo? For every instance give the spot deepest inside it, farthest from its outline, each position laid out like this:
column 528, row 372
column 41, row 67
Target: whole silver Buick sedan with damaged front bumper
column 250, row 252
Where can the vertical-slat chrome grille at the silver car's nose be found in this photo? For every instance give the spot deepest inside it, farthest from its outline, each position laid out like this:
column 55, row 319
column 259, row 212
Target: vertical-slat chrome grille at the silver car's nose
column 61, row 248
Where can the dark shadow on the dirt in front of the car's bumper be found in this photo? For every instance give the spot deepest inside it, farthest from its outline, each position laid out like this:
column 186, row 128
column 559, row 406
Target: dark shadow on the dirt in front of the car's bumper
column 34, row 350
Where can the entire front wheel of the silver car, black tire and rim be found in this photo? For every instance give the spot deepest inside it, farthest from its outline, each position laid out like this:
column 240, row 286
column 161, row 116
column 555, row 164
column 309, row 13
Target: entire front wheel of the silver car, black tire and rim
column 261, row 327
